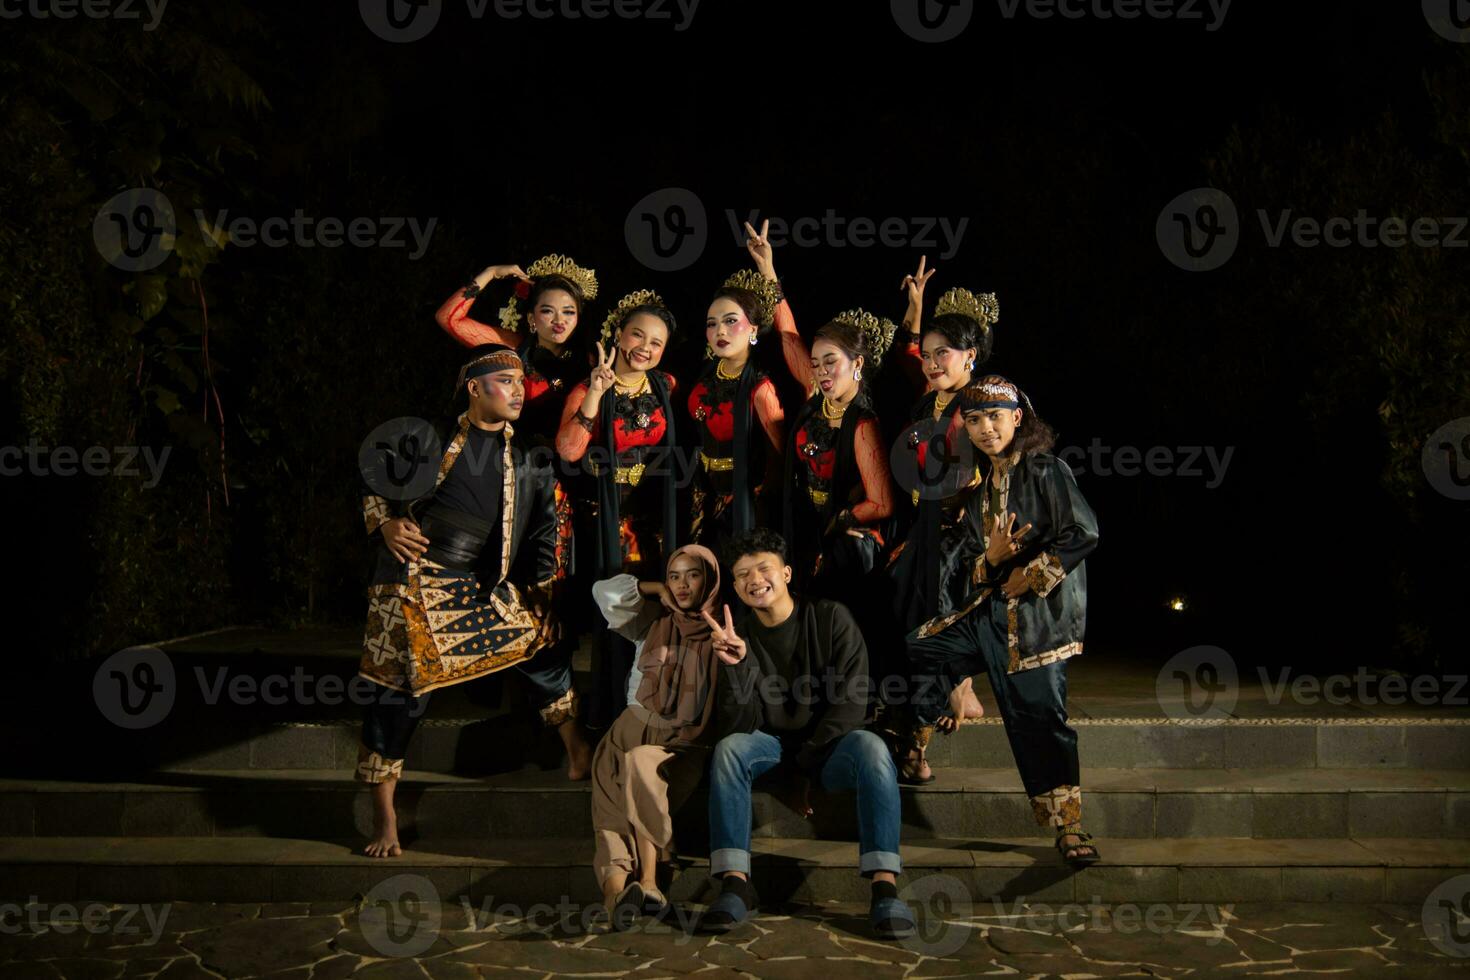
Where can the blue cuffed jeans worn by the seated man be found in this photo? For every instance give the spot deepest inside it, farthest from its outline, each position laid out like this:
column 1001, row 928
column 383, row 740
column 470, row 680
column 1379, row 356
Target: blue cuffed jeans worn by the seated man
column 859, row 763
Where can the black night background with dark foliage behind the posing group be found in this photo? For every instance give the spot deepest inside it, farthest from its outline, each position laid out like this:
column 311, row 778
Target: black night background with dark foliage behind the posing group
column 1324, row 370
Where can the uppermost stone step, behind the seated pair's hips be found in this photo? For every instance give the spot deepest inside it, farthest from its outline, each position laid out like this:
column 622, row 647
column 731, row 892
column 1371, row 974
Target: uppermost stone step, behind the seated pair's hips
column 509, row 741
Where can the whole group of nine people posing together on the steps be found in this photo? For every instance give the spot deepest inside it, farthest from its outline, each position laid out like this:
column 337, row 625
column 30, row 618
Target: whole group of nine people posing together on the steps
column 789, row 609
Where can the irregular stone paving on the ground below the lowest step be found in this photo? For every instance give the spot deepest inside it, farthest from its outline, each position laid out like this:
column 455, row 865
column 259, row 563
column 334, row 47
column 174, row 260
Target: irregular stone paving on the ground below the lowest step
column 461, row 943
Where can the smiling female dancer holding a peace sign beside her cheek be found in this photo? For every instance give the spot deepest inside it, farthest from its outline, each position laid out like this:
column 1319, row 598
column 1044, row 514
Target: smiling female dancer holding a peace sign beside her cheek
column 624, row 414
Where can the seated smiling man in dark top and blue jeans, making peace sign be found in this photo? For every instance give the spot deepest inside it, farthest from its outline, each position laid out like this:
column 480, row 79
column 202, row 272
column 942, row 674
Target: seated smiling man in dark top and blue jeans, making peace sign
column 803, row 666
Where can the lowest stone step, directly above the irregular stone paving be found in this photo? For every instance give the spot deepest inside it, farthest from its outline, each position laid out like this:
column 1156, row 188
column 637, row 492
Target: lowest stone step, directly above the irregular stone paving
column 492, row 873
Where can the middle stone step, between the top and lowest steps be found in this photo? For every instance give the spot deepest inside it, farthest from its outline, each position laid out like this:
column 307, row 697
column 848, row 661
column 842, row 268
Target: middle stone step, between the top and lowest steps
column 1118, row 803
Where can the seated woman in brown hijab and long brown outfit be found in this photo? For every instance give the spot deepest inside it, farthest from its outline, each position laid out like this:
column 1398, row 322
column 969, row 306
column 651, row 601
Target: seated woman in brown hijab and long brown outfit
column 653, row 756
